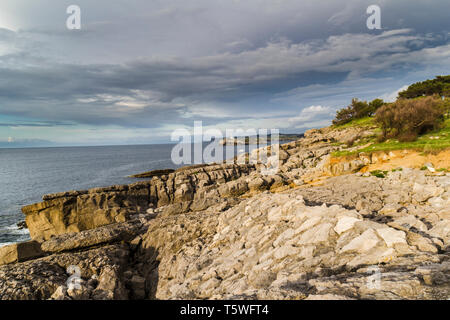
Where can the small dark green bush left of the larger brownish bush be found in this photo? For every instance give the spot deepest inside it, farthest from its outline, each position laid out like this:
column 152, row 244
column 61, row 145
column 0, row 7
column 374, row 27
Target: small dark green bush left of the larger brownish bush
column 357, row 110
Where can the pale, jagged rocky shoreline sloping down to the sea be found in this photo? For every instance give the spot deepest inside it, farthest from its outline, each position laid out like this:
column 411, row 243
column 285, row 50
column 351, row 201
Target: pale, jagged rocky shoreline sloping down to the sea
column 319, row 229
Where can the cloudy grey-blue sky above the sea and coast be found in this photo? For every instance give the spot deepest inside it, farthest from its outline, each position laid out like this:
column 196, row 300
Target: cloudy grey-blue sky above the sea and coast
column 139, row 69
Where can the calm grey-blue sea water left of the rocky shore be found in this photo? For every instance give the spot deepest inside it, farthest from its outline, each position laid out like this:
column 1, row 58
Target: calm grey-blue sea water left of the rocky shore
column 27, row 174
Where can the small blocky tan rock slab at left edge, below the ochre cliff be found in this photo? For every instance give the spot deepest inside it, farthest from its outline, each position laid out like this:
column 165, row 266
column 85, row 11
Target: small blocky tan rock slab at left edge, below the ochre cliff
column 20, row 252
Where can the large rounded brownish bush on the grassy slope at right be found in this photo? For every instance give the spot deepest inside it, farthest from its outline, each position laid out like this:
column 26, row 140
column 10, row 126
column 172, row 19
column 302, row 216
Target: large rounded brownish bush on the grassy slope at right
column 406, row 119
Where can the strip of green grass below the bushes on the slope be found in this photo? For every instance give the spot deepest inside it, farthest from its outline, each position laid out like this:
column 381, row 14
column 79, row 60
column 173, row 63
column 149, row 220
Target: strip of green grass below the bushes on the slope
column 424, row 143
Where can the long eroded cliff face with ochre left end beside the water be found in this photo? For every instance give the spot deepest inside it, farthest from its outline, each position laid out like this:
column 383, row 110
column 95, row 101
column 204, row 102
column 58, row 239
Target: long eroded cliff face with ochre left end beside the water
column 76, row 211
